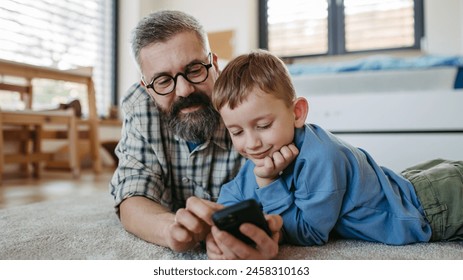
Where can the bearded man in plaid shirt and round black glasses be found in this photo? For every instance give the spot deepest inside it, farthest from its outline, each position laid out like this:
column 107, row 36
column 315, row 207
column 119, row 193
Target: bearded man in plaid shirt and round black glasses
column 175, row 153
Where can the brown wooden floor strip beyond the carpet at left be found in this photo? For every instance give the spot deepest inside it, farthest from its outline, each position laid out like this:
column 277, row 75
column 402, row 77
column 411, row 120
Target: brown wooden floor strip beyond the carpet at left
column 51, row 185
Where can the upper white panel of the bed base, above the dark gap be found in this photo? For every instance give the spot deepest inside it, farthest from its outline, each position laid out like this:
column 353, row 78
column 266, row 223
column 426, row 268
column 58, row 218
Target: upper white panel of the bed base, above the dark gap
column 394, row 111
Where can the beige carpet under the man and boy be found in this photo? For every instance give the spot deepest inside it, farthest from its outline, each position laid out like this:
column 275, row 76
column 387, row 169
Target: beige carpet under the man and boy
column 86, row 228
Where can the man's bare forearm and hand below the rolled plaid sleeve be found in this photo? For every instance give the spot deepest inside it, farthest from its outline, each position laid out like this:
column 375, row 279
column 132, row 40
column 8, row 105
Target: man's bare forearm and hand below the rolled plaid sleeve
column 156, row 224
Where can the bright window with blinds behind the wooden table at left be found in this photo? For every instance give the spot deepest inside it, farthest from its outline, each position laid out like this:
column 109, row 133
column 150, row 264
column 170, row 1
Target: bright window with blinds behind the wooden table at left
column 64, row 35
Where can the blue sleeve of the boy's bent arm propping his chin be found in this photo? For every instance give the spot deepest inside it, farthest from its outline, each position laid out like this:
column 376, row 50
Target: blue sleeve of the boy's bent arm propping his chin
column 309, row 199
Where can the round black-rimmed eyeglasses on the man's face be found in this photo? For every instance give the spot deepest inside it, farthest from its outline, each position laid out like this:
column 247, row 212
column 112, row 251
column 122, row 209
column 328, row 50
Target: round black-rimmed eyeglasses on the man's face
column 195, row 73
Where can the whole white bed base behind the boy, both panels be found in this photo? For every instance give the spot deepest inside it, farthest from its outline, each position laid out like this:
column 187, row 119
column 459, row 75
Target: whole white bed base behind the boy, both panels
column 398, row 123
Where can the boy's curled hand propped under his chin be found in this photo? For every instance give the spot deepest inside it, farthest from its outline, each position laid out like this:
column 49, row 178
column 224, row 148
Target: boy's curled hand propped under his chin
column 269, row 168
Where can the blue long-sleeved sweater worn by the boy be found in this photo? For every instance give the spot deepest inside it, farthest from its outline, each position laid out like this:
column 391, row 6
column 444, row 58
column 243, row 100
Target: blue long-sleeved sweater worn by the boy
column 333, row 186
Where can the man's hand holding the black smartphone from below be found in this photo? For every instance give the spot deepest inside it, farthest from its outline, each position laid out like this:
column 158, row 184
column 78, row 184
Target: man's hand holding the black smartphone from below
column 224, row 246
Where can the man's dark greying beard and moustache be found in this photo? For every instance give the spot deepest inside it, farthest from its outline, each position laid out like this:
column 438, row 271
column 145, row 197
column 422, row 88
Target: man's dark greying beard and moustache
column 197, row 126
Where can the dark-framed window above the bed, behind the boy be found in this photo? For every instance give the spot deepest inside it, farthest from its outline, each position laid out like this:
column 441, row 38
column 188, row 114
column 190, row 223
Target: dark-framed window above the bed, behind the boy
column 293, row 28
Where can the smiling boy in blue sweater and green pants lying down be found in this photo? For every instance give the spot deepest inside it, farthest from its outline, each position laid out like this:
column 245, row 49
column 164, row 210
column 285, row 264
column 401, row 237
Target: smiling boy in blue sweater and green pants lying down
column 318, row 183
